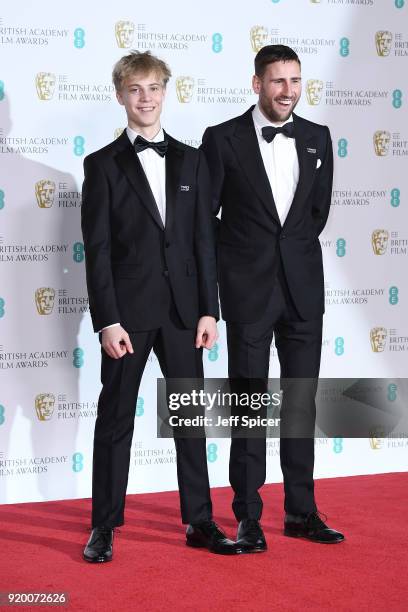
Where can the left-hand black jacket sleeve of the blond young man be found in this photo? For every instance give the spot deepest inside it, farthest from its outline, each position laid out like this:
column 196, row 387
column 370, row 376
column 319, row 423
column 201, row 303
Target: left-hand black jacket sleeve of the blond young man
column 96, row 231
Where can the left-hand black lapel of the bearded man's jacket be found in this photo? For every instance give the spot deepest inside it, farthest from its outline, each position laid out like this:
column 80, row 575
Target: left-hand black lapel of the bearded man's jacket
column 246, row 147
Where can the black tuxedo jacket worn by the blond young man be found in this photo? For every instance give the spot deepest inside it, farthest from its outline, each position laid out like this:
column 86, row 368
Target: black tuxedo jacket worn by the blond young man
column 130, row 255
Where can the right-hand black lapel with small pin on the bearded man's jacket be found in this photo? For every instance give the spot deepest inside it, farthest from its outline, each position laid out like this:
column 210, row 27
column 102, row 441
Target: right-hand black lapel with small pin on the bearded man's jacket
column 306, row 150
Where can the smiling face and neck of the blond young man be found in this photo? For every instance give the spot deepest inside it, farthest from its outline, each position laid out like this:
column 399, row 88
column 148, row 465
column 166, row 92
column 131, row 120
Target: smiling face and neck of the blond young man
column 142, row 96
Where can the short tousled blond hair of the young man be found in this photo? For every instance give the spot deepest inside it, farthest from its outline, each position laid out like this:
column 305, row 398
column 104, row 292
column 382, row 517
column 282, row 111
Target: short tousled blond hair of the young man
column 137, row 61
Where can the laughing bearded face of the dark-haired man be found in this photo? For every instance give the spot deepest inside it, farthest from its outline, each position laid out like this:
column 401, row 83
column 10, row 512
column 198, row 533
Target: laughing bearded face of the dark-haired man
column 279, row 89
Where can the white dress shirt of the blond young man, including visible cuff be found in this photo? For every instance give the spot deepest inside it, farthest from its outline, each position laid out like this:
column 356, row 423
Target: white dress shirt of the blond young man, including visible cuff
column 154, row 167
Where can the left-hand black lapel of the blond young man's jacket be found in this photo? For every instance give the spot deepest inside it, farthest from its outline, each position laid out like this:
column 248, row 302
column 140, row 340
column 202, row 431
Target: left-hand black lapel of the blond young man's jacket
column 132, row 168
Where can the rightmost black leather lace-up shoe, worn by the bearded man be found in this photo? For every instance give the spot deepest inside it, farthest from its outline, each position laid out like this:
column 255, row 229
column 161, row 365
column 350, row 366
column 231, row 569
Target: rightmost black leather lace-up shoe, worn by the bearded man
column 311, row 527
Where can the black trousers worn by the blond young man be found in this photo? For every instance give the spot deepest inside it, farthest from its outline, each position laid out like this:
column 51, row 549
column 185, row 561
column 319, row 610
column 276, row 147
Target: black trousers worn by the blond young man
column 175, row 349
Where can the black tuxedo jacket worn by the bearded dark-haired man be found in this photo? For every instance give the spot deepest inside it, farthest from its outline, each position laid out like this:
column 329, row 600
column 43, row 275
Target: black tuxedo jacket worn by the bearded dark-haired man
column 251, row 240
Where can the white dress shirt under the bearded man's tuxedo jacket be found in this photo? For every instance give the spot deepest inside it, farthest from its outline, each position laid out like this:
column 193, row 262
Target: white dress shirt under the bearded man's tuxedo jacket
column 280, row 161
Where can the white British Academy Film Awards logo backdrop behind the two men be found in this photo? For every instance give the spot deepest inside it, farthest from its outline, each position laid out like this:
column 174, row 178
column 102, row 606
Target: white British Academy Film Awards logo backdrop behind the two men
column 57, row 104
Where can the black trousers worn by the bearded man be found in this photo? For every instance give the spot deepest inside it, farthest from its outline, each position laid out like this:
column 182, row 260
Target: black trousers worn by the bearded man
column 298, row 345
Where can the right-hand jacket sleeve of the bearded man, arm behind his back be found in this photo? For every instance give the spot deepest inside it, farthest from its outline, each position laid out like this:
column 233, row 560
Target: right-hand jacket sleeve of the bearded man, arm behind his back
column 322, row 190
